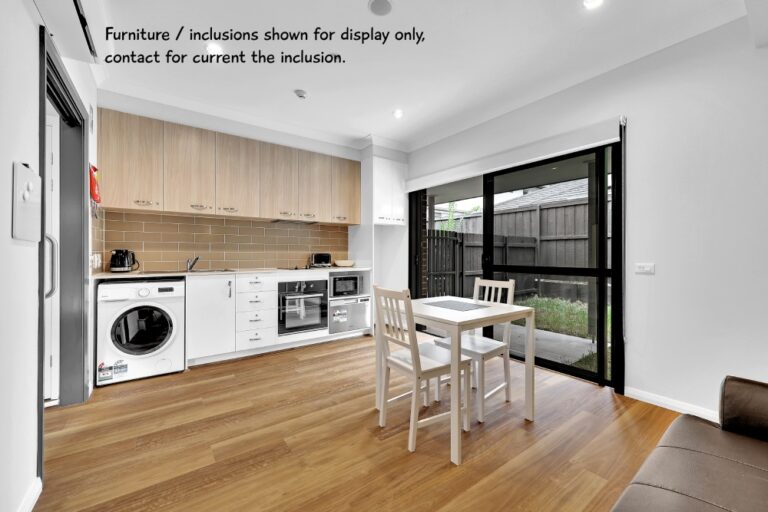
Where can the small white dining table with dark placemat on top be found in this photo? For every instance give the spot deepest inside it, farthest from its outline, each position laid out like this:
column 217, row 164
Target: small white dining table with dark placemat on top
column 455, row 315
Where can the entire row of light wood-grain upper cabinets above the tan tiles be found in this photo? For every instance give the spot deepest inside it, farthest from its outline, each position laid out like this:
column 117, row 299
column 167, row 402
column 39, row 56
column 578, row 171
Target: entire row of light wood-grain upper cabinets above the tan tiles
column 154, row 165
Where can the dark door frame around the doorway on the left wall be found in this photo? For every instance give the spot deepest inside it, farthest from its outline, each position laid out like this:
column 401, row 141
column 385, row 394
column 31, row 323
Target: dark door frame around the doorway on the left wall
column 56, row 87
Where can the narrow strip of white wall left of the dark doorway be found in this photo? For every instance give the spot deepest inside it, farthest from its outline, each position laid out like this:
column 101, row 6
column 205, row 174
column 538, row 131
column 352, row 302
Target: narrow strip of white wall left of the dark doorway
column 18, row 272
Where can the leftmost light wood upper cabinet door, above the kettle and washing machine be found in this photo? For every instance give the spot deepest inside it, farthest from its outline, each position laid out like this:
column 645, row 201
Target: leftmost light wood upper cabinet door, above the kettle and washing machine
column 130, row 156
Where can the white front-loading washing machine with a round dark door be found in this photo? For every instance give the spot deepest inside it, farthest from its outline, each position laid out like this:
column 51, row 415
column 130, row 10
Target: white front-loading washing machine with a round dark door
column 139, row 330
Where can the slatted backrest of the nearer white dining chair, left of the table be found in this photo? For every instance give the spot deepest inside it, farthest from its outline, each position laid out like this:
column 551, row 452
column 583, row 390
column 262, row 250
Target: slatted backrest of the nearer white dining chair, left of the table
column 394, row 322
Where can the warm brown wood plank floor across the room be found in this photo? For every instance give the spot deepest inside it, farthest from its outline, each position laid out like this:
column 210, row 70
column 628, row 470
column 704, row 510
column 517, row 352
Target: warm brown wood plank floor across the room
column 297, row 431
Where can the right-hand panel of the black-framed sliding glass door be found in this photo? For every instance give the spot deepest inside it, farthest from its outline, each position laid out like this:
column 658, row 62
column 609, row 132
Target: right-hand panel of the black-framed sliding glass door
column 548, row 227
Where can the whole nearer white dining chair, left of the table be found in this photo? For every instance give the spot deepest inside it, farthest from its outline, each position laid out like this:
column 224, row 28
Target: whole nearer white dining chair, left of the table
column 418, row 361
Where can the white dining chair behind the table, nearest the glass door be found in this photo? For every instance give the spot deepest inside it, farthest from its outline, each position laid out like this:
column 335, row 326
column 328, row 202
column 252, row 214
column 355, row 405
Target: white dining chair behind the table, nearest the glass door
column 481, row 349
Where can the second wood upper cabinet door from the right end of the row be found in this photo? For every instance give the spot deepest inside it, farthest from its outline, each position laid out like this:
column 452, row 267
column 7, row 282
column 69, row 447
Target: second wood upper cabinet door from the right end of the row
column 315, row 186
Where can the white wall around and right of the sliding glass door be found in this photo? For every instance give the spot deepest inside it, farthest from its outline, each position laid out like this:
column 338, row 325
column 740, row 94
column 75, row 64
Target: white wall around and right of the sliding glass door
column 696, row 187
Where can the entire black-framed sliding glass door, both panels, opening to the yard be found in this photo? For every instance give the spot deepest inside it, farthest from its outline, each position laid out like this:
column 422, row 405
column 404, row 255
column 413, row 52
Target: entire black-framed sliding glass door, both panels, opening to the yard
column 554, row 227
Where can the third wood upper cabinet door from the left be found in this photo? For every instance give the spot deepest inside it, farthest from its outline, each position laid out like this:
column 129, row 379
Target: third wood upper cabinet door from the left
column 238, row 176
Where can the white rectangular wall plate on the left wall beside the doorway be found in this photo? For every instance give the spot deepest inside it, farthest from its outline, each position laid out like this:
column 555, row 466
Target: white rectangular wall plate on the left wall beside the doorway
column 27, row 203
